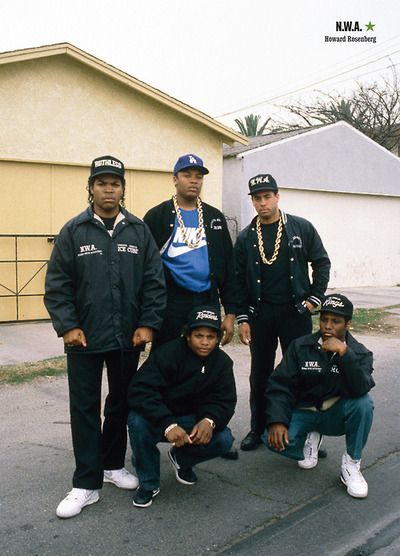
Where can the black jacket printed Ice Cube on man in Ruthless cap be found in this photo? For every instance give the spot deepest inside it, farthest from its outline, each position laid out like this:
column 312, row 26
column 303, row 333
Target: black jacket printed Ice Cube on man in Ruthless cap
column 108, row 286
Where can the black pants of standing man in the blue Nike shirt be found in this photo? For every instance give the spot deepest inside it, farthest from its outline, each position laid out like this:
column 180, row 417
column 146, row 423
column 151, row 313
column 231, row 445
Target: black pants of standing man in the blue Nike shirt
column 179, row 304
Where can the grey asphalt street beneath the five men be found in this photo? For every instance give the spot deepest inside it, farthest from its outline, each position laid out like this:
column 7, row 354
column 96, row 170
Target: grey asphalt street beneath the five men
column 260, row 504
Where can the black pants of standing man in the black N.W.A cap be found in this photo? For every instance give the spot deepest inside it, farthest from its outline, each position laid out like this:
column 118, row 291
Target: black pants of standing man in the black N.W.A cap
column 274, row 322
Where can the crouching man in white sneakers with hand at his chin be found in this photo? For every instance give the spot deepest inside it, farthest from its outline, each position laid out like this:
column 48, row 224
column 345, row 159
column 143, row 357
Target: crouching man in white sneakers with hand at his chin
column 321, row 387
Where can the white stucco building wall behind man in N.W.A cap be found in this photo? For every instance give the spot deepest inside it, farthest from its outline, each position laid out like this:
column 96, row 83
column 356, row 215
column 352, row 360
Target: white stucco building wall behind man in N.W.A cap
column 341, row 181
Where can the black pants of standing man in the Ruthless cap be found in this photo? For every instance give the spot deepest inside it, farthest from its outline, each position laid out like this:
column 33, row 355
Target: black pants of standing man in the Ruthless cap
column 95, row 447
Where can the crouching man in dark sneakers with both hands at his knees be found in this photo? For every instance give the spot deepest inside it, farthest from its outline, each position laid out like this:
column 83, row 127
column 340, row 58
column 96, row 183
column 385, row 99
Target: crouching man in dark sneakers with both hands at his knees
column 184, row 394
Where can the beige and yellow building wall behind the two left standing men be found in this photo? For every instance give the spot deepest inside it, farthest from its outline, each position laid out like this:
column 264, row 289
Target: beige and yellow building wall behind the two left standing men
column 56, row 115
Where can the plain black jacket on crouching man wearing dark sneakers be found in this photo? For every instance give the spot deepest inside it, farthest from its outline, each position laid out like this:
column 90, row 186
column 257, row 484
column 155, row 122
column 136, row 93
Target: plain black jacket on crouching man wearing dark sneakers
column 175, row 381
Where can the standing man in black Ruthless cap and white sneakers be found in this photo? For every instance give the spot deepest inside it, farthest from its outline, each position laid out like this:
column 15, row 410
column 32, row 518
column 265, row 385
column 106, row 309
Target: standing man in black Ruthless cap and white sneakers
column 105, row 293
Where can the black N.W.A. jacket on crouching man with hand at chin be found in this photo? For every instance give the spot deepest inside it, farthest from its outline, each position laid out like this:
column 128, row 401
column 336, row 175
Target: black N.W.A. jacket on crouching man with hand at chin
column 307, row 376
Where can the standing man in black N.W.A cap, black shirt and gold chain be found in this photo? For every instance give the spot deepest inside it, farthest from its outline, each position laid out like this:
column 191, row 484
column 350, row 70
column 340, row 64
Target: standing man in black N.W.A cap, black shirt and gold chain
column 275, row 294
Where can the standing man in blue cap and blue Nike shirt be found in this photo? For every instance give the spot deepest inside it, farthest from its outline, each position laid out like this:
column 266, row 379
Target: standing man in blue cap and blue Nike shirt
column 196, row 251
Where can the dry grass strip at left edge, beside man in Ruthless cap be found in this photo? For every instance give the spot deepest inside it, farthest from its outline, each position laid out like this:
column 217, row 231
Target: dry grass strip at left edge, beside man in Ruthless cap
column 25, row 372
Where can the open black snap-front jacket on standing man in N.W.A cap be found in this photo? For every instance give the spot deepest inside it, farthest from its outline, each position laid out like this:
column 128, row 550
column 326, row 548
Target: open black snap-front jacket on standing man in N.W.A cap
column 305, row 246
